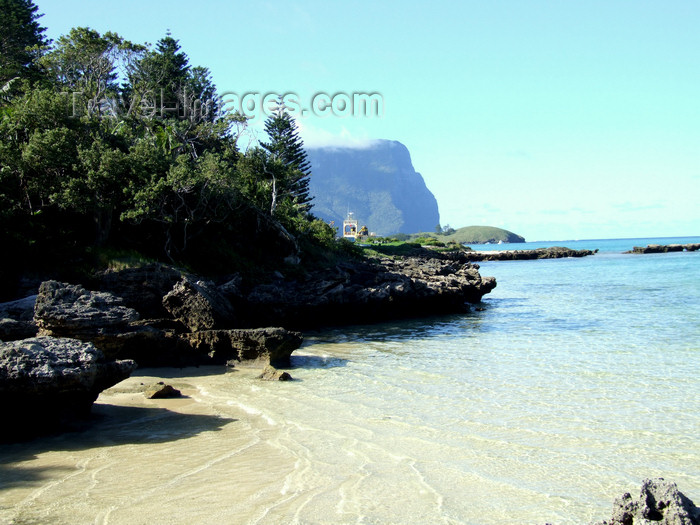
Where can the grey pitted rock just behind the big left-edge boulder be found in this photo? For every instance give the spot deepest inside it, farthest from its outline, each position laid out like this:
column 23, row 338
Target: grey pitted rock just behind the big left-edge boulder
column 69, row 310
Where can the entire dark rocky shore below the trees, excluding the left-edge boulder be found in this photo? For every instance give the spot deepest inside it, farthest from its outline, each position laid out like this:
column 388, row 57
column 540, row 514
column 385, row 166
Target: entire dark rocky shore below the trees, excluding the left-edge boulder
column 209, row 324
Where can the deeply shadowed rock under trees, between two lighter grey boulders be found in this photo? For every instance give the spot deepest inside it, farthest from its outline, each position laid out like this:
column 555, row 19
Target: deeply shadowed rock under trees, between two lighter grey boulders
column 141, row 288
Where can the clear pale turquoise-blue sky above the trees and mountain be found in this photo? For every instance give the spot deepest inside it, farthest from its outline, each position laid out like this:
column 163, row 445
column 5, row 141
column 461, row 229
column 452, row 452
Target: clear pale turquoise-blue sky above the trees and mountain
column 555, row 120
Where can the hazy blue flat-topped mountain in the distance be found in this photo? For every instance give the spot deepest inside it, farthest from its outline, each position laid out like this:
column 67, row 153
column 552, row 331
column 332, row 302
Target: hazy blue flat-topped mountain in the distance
column 377, row 183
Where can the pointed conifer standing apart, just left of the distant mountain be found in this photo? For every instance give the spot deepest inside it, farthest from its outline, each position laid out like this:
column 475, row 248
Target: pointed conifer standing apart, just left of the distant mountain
column 287, row 147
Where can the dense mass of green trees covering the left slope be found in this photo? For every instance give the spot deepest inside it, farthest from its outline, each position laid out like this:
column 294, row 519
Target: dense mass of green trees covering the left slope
column 105, row 142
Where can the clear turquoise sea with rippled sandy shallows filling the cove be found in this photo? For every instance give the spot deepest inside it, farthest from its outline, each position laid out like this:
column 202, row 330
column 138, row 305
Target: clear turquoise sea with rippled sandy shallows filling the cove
column 569, row 384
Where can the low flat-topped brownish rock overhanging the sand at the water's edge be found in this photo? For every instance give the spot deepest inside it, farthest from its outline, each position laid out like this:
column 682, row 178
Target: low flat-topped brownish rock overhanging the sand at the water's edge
column 255, row 347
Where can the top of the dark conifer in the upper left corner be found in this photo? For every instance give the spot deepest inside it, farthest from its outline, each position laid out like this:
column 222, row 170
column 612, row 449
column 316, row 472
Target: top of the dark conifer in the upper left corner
column 21, row 40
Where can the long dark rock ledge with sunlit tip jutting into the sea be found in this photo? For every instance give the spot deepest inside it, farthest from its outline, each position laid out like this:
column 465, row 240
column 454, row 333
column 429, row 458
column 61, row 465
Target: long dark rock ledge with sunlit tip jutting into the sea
column 370, row 291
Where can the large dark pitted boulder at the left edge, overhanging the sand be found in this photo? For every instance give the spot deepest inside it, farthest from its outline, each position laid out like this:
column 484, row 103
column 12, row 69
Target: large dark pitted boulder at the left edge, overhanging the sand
column 47, row 380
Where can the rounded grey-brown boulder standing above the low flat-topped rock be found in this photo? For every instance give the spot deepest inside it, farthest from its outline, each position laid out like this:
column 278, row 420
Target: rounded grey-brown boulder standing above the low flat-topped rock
column 199, row 305
